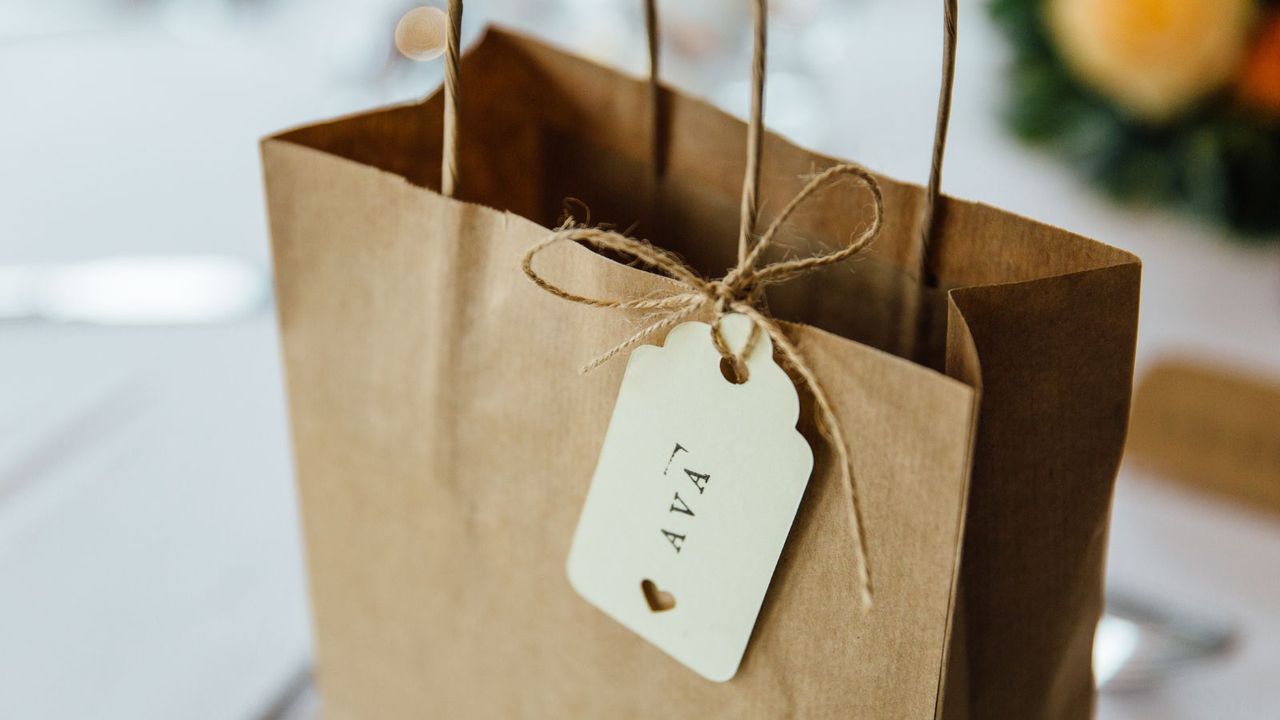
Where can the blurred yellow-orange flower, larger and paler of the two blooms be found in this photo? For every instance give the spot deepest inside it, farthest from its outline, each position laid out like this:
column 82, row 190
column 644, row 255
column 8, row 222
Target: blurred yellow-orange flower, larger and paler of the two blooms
column 1153, row 58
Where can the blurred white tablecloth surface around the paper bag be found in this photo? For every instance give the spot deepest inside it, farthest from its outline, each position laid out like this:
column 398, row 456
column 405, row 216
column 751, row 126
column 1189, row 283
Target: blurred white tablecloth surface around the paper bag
column 150, row 560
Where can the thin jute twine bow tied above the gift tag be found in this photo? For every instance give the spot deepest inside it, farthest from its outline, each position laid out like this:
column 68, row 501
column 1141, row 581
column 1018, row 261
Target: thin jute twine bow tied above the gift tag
column 739, row 291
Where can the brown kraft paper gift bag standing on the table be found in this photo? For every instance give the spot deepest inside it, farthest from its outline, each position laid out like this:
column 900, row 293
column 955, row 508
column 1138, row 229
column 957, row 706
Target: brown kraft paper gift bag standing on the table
column 445, row 439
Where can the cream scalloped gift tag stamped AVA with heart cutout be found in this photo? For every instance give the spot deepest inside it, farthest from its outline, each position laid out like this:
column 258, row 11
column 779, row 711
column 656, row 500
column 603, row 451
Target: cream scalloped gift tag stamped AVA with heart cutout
column 693, row 498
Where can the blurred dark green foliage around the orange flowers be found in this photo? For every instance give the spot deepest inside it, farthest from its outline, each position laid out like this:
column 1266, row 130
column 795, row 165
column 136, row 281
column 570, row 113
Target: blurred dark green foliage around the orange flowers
column 1218, row 160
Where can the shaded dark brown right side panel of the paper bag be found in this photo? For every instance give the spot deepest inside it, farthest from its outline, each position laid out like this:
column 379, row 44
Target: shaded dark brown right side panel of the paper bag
column 1057, row 362
